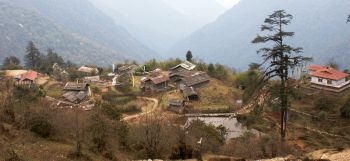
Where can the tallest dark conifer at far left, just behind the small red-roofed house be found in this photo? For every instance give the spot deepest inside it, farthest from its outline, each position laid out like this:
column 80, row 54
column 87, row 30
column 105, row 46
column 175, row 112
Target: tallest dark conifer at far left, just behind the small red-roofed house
column 32, row 58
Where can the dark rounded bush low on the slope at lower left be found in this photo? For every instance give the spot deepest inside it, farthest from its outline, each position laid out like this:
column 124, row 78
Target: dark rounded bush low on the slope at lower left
column 41, row 126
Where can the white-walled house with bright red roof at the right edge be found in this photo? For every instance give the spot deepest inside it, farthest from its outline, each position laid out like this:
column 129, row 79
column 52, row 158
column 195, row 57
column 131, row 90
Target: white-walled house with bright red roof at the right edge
column 327, row 78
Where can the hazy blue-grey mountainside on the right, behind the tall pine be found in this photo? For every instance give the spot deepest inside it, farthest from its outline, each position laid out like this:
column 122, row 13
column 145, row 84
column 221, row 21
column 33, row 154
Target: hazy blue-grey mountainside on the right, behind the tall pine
column 319, row 26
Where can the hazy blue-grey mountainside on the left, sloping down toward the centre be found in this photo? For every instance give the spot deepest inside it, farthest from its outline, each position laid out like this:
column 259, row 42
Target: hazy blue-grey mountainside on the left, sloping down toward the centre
column 75, row 28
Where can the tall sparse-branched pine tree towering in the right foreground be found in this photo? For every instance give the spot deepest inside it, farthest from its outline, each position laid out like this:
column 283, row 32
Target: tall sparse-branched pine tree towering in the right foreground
column 281, row 57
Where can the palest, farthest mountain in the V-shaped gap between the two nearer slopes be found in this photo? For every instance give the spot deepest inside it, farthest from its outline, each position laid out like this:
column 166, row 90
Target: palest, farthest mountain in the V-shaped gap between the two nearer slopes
column 160, row 23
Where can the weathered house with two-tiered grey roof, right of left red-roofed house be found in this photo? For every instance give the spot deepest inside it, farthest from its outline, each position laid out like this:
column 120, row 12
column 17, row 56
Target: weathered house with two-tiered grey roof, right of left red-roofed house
column 76, row 92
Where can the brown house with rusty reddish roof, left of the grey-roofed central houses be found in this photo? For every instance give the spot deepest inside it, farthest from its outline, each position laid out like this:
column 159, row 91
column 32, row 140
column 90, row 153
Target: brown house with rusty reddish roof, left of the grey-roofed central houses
column 159, row 83
